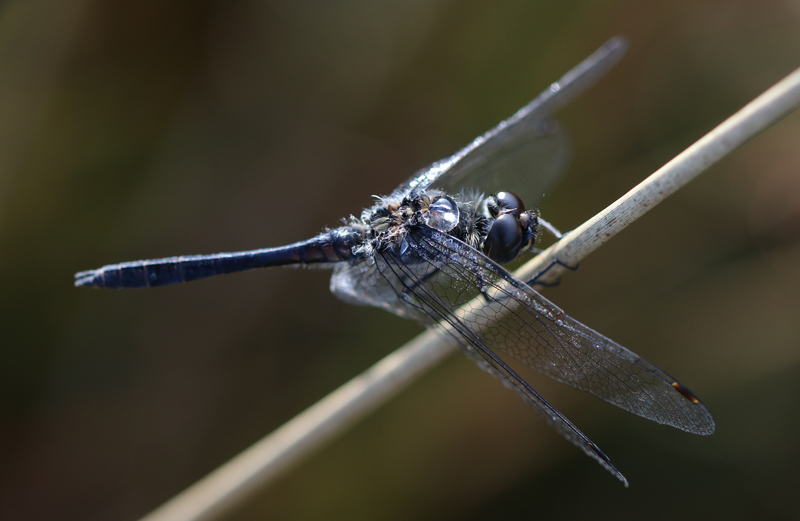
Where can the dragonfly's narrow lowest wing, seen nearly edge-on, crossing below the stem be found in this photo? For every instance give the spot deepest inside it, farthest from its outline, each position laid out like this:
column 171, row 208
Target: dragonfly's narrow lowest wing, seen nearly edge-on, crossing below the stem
column 403, row 287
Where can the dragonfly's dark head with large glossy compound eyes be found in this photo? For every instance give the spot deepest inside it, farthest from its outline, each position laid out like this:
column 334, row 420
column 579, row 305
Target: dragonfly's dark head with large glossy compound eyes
column 512, row 229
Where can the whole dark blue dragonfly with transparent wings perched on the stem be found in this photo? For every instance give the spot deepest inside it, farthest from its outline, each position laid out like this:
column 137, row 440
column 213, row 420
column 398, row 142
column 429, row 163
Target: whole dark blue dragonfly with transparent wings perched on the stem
column 433, row 251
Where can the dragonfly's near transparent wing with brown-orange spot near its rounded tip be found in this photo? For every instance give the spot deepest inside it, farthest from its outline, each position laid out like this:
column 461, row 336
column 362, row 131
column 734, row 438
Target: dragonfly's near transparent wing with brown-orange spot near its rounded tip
column 512, row 318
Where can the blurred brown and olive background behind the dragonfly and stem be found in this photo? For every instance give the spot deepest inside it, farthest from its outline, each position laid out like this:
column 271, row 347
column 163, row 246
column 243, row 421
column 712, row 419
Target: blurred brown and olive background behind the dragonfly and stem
column 145, row 129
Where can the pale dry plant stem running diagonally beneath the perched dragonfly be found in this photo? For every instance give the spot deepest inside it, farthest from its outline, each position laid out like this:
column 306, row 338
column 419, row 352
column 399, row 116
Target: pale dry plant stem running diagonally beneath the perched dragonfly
column 220, row 492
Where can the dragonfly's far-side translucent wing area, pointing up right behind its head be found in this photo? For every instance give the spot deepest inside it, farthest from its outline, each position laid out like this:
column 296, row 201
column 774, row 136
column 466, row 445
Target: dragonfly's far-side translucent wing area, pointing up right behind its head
column 528, row 151
